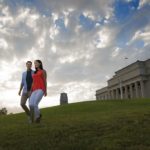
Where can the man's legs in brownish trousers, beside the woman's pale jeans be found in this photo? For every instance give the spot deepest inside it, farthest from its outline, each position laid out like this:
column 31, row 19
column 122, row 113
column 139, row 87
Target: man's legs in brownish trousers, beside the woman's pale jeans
column 24, row 98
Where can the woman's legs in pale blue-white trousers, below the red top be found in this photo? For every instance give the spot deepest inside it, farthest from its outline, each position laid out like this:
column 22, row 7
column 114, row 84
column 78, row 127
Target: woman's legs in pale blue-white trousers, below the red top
column 34, row 100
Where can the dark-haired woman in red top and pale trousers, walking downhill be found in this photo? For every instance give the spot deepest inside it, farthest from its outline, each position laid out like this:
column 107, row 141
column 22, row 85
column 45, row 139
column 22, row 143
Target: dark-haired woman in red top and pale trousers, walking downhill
column 39, row 89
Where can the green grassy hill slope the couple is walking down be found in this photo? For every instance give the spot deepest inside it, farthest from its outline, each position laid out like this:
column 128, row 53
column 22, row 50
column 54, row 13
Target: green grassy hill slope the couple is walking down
column 95, row 125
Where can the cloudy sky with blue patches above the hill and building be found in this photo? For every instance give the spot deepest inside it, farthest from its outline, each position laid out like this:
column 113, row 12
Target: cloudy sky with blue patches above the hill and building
column 80, row 42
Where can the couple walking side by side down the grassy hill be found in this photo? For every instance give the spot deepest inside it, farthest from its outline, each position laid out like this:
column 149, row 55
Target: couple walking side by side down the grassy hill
column 34, row 87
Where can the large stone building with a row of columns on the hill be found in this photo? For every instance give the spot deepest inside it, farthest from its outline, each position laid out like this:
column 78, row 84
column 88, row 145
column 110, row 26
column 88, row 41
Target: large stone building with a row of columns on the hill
column 130, row 82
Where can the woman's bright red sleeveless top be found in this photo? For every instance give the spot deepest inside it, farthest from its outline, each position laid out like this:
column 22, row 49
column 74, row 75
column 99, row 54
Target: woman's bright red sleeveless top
column 39, row 81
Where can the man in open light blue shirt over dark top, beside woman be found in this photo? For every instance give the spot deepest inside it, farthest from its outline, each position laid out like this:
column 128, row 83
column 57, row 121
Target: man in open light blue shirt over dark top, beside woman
column 26, row 84
